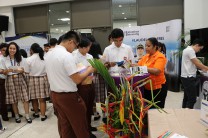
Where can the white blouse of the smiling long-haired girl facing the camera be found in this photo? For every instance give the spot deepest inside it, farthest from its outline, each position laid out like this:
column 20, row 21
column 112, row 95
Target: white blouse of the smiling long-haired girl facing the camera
column 7, row 63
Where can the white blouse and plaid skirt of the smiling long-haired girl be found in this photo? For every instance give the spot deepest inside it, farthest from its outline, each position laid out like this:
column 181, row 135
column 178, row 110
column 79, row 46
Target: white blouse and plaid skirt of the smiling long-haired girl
column 15, row 85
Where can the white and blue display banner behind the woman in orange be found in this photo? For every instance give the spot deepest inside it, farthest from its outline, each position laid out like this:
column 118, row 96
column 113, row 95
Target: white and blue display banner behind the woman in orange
column 168, row 33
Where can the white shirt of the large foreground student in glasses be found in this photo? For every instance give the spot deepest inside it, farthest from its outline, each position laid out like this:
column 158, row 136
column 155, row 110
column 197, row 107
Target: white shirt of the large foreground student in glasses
column 60, row 65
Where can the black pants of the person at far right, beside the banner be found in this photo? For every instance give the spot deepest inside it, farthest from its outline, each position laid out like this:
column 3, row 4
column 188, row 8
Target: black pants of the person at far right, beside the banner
column 190, row 92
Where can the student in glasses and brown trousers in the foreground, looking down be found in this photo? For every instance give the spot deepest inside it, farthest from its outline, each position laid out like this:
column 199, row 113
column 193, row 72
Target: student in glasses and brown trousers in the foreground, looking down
column 63, row 78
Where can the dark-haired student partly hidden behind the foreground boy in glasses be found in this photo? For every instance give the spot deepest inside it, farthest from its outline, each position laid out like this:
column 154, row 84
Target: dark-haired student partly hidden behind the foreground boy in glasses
column 86, row 88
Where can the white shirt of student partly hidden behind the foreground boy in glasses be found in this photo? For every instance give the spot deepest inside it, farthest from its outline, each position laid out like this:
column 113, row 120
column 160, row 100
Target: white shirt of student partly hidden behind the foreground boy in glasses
column 79, row 58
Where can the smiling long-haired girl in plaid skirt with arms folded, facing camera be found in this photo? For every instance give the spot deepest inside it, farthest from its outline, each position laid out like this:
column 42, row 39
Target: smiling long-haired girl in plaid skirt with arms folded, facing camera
column 15, row 85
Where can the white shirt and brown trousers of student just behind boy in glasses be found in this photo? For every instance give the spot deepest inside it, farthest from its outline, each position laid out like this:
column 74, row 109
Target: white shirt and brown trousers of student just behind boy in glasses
column 86, row 91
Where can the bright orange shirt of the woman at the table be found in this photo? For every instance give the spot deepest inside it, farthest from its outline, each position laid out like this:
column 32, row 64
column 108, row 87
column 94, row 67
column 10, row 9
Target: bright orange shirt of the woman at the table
column 158, row 61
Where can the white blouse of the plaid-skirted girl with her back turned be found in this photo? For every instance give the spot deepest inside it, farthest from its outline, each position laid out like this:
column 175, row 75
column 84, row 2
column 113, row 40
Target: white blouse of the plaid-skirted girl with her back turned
column 36, row 66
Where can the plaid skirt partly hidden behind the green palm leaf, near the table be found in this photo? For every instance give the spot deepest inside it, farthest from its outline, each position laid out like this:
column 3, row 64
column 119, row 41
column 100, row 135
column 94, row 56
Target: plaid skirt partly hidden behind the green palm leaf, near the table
column 100, row 88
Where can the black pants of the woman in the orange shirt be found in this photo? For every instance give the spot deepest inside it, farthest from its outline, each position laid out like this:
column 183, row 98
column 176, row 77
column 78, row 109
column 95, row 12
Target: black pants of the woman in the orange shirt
column 160, row 97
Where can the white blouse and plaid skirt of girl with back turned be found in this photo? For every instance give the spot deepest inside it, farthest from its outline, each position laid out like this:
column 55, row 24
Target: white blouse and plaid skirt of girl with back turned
column 38, row 86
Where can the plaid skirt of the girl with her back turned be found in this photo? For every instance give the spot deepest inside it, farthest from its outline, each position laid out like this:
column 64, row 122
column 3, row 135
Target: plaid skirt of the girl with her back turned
column 38, row 87
